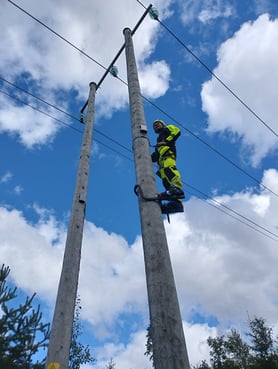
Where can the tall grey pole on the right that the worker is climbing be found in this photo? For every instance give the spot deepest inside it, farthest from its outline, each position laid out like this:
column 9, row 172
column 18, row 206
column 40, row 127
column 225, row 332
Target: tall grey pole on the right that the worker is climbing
column 169, row 347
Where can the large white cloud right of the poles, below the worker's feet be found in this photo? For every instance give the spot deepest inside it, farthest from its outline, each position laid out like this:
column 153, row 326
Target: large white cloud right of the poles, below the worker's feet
column 217, row 256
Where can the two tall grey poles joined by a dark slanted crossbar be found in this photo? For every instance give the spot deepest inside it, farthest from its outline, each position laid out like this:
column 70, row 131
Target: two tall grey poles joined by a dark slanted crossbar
column 169, row 348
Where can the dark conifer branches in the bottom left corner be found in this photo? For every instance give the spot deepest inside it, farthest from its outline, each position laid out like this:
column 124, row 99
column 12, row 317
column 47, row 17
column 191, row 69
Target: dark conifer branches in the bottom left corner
column 22, row 331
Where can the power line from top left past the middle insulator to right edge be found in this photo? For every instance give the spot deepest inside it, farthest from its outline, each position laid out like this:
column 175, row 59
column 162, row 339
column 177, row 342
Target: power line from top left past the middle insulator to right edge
column 166, row 114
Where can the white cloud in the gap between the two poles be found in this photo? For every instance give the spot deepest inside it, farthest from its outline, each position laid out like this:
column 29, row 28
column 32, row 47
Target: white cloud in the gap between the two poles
column 116, row 274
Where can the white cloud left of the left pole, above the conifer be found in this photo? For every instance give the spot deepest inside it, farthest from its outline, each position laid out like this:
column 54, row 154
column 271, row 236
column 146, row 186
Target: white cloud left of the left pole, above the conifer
column 35, row 264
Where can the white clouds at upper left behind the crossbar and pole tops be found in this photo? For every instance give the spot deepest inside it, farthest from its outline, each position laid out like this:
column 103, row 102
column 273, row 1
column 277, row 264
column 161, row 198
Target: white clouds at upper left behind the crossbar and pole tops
column 31, row 53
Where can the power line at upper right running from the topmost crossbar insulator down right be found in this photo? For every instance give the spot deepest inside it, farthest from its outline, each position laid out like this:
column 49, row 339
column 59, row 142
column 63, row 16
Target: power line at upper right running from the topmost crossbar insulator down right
column 214, row 75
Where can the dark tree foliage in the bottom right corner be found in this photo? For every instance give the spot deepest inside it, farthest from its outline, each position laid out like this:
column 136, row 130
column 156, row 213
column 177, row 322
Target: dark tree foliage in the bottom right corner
column 231, row 352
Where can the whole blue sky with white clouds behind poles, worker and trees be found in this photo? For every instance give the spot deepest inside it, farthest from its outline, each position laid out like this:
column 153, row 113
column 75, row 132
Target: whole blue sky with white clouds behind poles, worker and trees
column 227, row 157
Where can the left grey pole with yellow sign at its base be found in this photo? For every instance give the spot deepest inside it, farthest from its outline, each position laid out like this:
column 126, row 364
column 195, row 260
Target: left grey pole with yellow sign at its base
column 62, row 324
